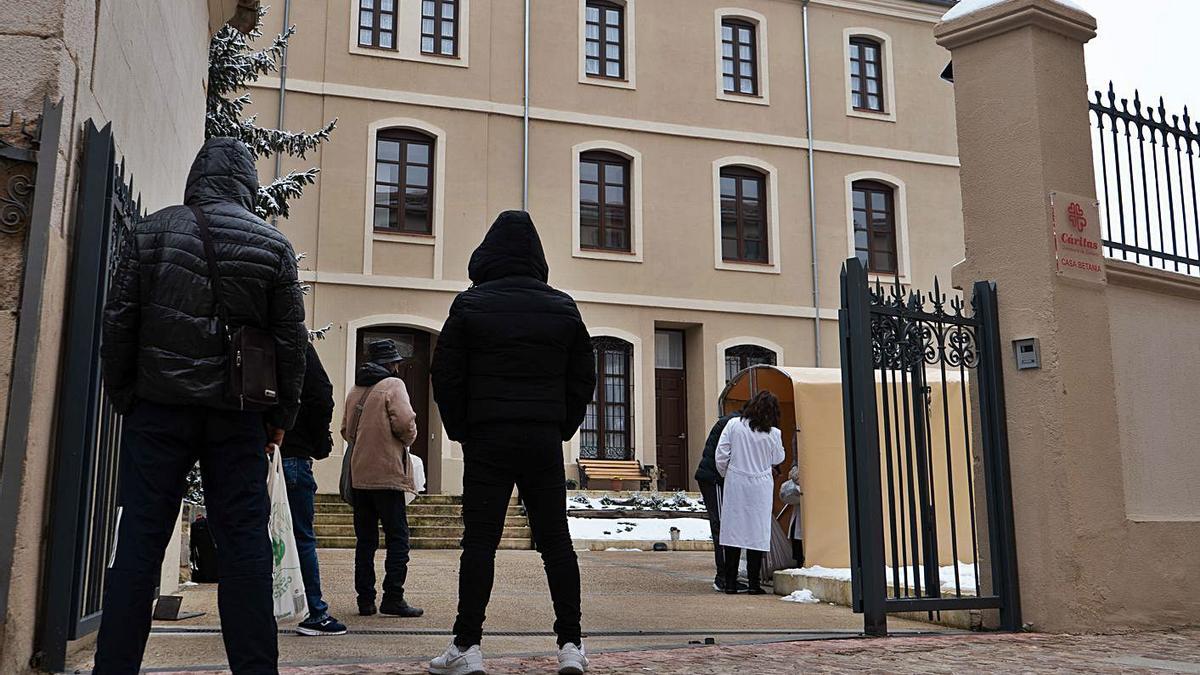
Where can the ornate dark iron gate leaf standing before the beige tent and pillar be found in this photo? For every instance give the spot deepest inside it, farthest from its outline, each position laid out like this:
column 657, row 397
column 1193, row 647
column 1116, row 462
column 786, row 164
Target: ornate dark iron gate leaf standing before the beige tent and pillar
column 907, row 361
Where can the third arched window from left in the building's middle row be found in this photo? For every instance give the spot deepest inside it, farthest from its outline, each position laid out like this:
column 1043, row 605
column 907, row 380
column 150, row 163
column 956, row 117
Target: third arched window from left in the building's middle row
column 745, row 216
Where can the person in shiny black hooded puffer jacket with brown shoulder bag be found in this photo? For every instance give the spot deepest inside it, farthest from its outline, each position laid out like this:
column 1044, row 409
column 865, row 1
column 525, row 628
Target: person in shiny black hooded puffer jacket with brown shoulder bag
column 166, row 368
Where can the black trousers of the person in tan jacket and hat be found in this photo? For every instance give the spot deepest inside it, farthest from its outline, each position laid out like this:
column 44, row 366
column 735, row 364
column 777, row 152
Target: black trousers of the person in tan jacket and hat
column 373, row 507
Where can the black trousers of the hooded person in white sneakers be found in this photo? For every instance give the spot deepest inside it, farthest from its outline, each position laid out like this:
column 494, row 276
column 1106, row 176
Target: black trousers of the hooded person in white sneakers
column 532, row 459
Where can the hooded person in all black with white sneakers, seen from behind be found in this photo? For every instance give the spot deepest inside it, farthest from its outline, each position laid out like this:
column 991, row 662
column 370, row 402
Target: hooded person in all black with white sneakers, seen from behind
column 513, row 377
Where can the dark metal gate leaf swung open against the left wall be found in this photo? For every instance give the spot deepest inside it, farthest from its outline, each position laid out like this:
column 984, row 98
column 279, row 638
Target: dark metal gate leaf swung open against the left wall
column 85, row 486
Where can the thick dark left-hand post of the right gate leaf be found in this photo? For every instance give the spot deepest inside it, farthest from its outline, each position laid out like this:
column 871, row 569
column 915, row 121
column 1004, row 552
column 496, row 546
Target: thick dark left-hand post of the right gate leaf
column 863, row 488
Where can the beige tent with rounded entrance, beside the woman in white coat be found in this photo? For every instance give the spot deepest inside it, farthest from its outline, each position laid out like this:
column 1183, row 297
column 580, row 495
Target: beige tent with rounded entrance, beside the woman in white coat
column 812, row 403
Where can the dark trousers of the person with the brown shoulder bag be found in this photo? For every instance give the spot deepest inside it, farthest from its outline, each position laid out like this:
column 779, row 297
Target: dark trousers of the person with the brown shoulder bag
column 161, row 444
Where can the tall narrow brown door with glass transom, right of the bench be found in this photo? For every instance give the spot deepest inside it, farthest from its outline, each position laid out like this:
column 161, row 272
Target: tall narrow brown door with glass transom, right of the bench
column 671, row 409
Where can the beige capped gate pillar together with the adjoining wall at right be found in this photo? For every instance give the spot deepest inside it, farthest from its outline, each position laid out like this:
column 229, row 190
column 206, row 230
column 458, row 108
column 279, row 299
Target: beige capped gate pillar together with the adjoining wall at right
column 1101, row 437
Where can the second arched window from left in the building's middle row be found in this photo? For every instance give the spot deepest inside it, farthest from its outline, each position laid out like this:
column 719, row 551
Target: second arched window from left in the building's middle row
column 604, row 202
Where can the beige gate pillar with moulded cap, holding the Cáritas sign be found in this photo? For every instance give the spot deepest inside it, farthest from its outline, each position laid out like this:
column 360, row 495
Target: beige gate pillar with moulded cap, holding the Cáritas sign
column 1024, row 133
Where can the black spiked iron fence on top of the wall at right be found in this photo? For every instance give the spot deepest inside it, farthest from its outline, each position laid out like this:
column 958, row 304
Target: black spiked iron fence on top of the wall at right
column 1148, row 181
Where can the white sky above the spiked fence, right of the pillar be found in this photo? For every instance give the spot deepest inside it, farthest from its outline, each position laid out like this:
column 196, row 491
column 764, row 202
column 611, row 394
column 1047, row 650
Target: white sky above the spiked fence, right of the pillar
column 1149, row 45
